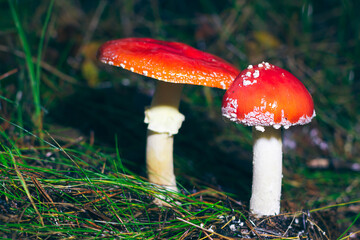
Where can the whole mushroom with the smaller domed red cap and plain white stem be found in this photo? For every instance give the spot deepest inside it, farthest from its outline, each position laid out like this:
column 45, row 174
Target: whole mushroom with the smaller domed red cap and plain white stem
column 267, row 97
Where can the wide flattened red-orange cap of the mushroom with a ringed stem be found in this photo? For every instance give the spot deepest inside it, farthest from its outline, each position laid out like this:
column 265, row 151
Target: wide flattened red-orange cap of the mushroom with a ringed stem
column 168, row 61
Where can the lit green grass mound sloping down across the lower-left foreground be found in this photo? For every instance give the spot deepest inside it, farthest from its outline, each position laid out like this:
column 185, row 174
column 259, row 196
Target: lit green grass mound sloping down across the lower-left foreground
column 76, row 200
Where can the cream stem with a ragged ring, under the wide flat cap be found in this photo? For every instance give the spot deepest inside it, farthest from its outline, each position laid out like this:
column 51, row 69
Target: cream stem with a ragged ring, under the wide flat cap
column 164, row 121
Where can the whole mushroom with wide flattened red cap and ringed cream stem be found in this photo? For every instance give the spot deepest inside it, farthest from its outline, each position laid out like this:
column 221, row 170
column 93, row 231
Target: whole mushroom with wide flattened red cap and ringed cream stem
column 174, row 64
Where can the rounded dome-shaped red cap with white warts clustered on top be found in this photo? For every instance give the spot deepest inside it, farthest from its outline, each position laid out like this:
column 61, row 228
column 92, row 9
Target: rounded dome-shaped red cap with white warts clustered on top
column 266, row 95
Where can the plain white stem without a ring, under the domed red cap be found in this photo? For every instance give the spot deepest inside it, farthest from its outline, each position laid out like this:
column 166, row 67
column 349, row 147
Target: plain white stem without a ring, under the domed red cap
column 267, row 172
